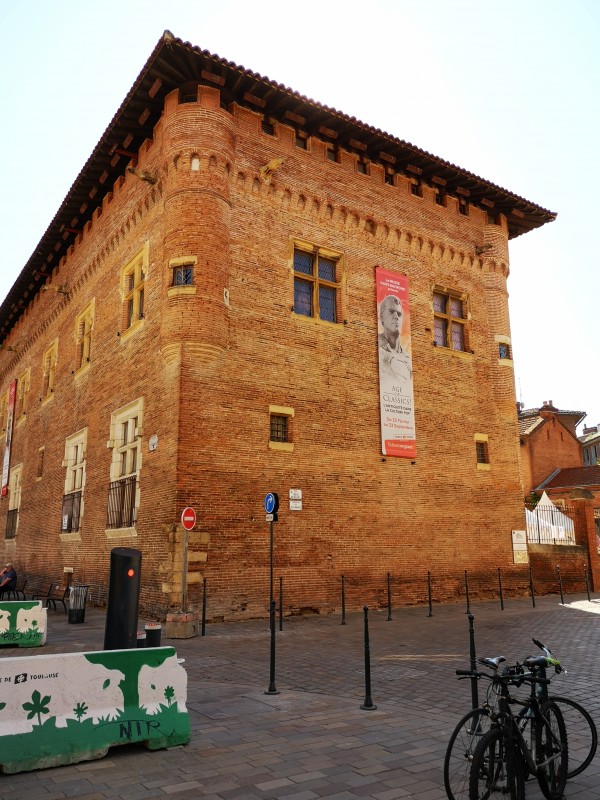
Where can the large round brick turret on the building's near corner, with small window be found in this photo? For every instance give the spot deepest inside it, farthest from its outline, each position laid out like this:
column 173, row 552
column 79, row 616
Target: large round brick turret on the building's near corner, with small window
column 198, row 145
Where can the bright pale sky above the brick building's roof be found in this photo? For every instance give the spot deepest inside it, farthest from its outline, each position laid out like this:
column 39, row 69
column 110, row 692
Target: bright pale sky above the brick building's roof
column 507, row 89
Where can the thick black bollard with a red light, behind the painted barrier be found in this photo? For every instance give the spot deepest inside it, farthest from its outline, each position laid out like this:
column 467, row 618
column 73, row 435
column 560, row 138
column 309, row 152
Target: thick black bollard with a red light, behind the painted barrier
column 123, row 599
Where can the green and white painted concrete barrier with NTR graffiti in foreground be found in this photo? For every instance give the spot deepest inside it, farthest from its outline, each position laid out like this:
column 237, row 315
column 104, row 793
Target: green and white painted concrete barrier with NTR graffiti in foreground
column 69, row 707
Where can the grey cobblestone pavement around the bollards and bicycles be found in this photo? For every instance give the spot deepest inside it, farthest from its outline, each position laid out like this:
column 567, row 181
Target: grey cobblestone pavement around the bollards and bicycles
column 313, row 740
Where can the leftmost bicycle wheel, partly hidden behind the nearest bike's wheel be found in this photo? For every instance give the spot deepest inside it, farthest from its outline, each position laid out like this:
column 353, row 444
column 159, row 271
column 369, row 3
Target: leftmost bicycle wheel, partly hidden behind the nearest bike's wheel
column 459, row 753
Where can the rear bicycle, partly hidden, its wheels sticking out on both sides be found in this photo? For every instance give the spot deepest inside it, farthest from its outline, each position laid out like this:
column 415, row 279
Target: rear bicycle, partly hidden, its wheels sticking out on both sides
column 582, row 735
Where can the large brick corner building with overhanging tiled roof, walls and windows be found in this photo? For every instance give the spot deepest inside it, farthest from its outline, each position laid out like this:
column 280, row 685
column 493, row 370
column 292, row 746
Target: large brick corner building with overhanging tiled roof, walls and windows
column 199, row 326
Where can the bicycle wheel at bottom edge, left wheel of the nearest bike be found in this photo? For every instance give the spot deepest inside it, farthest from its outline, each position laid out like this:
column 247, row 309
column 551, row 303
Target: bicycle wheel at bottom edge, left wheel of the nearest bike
column 496, row 771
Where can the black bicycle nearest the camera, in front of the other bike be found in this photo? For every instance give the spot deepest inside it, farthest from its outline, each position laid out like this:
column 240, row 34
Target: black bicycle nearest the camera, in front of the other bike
column 504, row 755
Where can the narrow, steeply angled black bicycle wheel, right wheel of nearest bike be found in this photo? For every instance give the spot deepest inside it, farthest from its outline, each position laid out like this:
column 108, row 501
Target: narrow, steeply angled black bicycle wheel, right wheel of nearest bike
column 551, row 751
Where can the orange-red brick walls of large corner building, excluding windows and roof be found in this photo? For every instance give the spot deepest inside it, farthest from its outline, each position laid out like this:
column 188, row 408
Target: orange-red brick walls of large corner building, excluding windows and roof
column 208, row 372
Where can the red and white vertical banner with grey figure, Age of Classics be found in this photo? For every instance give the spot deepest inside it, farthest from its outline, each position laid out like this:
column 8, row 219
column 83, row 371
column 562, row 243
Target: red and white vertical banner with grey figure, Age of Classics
column 396, row 398
